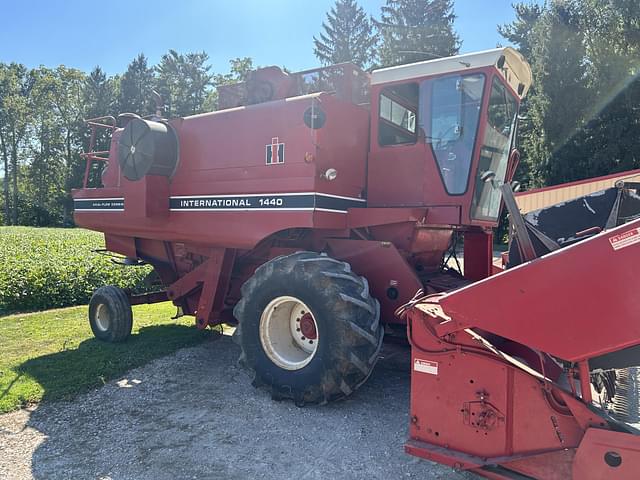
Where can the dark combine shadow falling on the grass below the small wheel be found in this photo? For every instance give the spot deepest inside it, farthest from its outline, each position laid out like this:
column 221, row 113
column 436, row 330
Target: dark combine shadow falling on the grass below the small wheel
column 64, row 374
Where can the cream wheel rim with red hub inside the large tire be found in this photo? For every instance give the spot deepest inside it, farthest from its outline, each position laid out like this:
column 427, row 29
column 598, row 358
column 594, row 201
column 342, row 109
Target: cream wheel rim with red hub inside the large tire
column 289, row 332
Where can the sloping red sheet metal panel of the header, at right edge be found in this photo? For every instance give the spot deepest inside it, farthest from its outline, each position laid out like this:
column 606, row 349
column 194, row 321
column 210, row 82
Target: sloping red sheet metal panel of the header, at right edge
column 576, row 303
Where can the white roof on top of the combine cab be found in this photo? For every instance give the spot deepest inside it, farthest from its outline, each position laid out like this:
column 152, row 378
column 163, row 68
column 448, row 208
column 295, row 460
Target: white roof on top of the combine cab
column 515, row 69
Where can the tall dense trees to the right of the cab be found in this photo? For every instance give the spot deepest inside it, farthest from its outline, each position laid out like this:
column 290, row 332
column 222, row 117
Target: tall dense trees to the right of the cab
column 580, row 117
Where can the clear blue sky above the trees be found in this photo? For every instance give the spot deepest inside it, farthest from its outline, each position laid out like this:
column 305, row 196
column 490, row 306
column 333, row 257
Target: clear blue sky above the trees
column 83, row 34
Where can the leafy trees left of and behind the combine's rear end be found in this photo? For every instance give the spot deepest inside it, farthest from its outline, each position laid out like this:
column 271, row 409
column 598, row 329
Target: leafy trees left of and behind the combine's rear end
column 43, row 130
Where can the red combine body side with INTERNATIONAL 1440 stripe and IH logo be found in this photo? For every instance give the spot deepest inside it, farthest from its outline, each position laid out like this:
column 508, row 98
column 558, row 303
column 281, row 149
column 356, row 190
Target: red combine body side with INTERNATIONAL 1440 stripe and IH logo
column 226, row 192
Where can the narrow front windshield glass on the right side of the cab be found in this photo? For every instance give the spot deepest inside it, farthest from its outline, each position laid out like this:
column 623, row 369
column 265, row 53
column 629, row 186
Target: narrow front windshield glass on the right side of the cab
column 494, row 154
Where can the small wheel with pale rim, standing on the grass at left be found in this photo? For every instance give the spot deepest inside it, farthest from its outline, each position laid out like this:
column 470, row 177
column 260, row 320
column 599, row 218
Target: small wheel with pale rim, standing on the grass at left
column 110, row 315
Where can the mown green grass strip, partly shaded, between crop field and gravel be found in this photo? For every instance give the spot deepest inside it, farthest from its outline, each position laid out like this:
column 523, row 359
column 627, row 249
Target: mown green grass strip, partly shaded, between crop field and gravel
column 52, row 355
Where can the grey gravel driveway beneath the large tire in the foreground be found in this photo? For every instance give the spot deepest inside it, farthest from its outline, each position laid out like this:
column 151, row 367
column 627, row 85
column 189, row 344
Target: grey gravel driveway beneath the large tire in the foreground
column 194, row 414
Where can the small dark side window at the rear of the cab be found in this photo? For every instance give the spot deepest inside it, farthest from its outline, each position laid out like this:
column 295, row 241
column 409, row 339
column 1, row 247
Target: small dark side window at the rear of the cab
column 397, row 119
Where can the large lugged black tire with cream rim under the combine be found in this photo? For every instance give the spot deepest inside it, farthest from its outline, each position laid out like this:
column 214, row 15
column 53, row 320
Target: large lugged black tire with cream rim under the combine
column 308, row 328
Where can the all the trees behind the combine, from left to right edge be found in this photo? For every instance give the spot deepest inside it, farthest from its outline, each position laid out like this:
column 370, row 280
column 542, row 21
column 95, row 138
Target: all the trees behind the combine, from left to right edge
column 581, row 118
